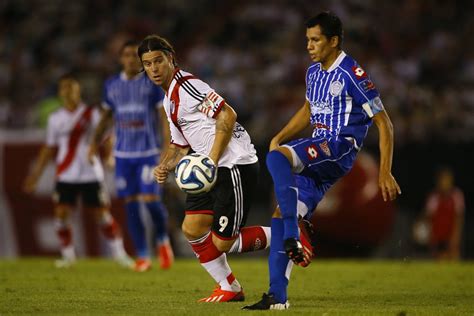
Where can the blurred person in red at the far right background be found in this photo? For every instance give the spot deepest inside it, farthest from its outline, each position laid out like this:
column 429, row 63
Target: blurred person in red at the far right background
column 445, row 216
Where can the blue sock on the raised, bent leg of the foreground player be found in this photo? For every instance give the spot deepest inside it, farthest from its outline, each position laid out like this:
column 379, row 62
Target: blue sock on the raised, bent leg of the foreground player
column 285, row 191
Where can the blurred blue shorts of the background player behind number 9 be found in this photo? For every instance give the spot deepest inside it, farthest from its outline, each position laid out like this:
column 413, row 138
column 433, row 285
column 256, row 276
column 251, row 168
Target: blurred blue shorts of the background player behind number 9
column 135, row 176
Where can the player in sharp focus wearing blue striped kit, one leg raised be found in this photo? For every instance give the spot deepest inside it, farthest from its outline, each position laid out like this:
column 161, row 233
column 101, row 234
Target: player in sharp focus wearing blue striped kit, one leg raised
column 341, row 104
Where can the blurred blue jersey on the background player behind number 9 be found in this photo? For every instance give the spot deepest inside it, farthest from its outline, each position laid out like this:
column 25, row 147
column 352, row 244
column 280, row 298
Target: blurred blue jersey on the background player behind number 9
column 134, row 103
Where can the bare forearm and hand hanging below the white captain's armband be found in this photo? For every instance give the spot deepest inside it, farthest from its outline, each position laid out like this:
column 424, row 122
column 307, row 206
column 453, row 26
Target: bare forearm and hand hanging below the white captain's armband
column 387, row 182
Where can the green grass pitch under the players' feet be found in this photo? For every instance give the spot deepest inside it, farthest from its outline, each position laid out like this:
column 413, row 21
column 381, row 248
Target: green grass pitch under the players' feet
column 100, row 287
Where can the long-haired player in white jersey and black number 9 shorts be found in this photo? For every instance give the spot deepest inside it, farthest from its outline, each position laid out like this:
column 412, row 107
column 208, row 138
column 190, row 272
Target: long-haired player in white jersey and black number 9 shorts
column 201, row 120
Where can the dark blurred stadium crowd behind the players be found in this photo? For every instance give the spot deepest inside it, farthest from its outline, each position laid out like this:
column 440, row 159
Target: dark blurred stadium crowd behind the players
column 430, row 91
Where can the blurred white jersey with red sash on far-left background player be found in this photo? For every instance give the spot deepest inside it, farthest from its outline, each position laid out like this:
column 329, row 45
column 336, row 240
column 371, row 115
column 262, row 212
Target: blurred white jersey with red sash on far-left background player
column 71, row 132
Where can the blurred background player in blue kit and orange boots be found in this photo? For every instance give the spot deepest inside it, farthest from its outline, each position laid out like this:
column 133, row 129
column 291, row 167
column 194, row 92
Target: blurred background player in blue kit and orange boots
column 133, row 103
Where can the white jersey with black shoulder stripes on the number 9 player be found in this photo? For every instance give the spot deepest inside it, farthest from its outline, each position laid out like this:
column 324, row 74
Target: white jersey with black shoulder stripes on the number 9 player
column 192, row 107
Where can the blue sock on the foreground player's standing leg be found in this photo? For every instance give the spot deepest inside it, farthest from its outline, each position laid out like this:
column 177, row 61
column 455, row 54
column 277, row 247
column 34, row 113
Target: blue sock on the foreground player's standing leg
column 278, row 263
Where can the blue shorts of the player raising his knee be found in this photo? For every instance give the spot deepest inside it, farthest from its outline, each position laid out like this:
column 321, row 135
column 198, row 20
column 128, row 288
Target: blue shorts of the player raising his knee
column 318, row 164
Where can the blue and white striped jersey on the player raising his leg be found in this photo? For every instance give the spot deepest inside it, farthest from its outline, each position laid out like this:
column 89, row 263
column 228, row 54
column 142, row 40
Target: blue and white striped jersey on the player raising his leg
column 343, row 99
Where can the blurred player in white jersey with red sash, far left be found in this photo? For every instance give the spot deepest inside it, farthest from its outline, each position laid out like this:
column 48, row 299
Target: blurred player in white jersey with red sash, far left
column 69, row 133
